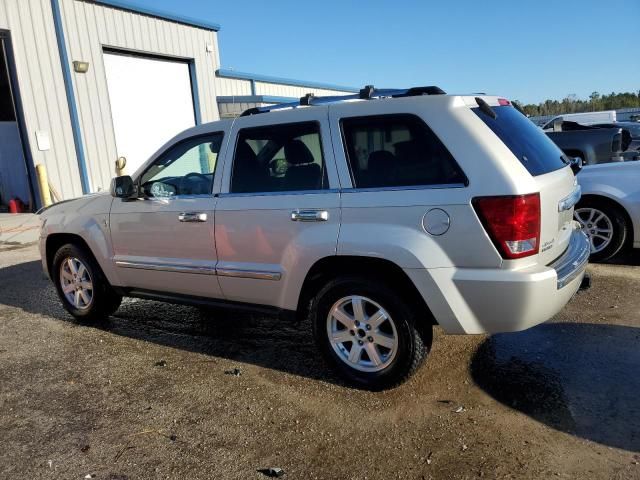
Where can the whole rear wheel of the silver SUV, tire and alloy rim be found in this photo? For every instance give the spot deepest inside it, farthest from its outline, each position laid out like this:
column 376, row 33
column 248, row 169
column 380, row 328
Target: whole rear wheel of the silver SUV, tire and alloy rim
column 397, row 359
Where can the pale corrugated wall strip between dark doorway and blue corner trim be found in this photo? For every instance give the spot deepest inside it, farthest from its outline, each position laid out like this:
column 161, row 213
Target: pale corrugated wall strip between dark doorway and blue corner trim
column 44, row 99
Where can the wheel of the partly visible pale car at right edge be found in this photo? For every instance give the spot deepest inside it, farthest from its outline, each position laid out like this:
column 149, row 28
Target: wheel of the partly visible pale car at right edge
column 600, row 219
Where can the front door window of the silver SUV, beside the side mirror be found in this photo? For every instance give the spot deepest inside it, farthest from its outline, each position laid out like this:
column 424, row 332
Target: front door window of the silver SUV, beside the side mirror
column 187, row 168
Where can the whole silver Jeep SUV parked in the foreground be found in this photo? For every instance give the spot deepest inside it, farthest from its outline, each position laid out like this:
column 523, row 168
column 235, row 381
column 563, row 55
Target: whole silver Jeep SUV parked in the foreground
column 376, row 216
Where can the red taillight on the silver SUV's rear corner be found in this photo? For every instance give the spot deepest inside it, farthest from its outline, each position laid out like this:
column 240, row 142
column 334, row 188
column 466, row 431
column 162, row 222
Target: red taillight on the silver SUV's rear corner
column 512, row 222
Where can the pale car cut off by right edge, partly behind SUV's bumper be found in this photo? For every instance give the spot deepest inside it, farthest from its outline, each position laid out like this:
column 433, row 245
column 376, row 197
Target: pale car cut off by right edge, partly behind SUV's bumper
column 609, row 211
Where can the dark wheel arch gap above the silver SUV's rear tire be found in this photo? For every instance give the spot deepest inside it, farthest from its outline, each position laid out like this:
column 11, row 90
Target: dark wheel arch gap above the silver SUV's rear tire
column 327, row 268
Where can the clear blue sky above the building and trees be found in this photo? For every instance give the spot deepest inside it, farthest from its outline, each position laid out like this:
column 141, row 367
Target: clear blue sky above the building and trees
column 526, row 50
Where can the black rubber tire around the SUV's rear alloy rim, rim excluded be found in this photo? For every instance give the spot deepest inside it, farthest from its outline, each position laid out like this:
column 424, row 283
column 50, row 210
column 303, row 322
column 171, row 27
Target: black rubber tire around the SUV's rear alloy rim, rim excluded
column 408, row 337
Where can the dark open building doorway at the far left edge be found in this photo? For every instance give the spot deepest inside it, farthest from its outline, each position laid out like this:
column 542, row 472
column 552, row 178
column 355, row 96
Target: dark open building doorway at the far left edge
column 14, row 174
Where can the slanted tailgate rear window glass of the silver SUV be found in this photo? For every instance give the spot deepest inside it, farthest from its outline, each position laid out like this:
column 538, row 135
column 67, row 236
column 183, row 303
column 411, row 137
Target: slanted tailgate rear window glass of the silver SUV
column 529, row 144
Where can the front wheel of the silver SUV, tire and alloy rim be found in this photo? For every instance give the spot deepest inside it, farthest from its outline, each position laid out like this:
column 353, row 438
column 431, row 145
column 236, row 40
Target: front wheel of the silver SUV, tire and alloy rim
column 97, row 302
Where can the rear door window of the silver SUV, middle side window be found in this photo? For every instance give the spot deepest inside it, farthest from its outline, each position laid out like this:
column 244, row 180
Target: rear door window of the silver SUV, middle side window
column 279, row 158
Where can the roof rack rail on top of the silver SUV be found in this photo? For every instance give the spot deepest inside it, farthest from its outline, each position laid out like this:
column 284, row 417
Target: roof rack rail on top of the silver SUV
column 369, row 92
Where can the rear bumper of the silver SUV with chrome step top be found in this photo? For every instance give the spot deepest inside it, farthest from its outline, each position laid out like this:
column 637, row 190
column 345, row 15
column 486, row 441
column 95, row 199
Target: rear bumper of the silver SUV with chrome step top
column 492, row 300
